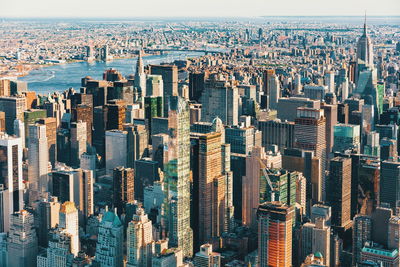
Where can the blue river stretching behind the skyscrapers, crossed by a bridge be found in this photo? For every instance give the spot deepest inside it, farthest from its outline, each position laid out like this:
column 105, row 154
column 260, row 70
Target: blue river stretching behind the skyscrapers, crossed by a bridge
column 61, row 77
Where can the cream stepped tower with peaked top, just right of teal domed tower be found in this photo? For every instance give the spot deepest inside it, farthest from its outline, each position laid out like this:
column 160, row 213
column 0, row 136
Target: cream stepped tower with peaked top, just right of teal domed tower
column 140, row 243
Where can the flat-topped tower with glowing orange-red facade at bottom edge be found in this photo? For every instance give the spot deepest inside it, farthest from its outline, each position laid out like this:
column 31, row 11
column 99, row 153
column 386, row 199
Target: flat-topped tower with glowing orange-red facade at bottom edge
column 275, row 222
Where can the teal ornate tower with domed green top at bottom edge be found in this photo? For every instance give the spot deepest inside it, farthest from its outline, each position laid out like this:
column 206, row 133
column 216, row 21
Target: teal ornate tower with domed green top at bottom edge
column 109, row 248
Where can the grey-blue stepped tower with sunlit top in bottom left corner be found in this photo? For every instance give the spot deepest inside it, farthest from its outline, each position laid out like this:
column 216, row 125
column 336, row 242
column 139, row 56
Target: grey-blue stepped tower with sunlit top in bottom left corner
column 22, row 241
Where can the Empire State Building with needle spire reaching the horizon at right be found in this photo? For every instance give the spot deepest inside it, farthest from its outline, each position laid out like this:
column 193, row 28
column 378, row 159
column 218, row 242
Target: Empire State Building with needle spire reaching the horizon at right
column 365, row 48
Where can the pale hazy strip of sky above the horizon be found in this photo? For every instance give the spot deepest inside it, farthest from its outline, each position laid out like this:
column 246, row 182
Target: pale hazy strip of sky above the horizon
column 196, row 8
